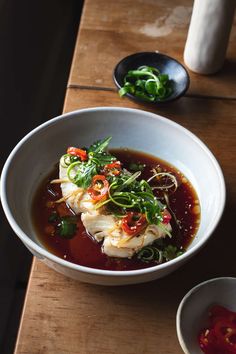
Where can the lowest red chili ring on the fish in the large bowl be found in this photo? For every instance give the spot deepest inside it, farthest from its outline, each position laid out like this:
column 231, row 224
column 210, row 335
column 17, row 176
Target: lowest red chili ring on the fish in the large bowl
column 133, row 223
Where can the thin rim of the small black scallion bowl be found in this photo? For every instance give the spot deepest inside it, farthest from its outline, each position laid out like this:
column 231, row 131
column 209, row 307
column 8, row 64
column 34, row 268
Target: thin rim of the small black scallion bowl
column 133, row 55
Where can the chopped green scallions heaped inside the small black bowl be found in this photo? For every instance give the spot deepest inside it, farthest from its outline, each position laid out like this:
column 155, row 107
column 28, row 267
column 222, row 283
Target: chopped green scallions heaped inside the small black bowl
column 147, row 83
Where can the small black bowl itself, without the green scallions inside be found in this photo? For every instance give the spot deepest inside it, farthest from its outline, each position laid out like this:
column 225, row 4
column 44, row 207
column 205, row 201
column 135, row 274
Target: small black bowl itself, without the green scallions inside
column 166, row 65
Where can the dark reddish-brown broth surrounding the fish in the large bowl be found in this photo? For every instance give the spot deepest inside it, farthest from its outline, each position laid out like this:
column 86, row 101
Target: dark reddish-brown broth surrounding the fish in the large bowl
column 82, row 249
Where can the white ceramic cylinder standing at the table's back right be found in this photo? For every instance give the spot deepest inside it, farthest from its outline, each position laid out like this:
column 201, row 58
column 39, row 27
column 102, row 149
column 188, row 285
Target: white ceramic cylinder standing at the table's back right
column 208, row 35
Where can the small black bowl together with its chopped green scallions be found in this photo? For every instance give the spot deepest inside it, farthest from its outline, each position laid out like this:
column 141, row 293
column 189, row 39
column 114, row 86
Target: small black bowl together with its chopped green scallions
column 151, row 77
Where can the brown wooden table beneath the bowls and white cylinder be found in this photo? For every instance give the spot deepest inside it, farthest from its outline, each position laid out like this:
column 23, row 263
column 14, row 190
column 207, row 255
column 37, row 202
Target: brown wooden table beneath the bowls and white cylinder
column 64, row 316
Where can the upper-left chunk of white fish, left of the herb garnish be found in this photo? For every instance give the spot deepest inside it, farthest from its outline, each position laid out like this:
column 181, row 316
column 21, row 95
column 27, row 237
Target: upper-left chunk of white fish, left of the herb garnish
column 77, row 198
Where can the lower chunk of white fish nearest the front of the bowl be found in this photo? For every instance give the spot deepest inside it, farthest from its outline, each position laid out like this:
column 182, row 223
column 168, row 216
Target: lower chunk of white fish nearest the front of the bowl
column 116, row 242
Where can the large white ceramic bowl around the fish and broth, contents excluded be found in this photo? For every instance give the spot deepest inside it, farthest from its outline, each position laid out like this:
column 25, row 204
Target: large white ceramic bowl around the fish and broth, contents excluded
column 33, row 157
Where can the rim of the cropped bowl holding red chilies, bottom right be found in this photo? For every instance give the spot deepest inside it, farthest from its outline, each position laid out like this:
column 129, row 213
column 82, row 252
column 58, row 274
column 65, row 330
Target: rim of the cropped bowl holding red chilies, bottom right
column 186, row 297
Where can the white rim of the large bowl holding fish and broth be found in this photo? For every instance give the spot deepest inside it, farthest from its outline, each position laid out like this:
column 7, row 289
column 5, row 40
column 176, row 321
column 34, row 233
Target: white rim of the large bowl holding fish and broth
column 44, row 253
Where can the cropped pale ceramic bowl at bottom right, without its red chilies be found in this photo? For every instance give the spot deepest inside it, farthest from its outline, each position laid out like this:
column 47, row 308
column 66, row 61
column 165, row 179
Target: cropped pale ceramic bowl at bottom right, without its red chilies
column 192, row 314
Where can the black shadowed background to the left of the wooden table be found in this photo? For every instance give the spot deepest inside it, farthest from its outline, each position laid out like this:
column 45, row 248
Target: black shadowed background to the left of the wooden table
column 37, row 41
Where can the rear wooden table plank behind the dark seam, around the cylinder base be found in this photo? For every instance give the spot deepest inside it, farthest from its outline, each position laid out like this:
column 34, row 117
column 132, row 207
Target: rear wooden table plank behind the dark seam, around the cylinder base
column 108, row 33
